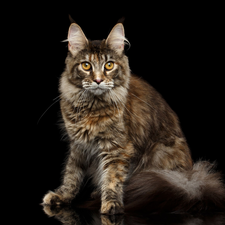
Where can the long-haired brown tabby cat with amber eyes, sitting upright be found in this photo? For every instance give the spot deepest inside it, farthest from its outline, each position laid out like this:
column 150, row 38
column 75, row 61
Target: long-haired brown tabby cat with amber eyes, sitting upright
column 124, row 137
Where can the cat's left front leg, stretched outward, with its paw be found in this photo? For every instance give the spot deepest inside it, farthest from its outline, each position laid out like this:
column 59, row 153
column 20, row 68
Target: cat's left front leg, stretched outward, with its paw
column 72, row 179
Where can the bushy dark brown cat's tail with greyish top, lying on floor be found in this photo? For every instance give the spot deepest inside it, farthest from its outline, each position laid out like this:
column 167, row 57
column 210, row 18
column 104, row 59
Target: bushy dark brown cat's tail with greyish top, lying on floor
column 171, row 191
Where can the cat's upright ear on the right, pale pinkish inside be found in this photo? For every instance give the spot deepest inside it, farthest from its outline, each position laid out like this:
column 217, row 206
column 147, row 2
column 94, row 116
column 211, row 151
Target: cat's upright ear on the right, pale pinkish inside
column 116, row 38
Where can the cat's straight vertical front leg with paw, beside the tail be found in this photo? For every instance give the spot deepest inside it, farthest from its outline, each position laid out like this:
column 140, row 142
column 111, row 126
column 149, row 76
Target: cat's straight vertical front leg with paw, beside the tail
column 115, row 169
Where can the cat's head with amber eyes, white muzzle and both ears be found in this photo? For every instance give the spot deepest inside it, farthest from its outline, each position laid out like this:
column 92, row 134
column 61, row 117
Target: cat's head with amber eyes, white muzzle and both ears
column 95, row 66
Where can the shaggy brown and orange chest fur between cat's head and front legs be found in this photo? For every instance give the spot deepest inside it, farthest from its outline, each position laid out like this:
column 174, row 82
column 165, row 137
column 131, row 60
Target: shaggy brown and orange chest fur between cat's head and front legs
column 93, row 123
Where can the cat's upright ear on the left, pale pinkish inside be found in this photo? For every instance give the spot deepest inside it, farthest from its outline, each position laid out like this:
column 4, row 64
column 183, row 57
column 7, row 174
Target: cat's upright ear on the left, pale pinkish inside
column 76, row 38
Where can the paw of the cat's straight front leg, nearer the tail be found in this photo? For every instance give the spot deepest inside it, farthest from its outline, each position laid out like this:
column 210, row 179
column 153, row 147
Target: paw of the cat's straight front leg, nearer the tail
column 111, row 208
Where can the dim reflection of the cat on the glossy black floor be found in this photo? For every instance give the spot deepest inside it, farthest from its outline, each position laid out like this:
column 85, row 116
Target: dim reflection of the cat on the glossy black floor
column 71, row 216
